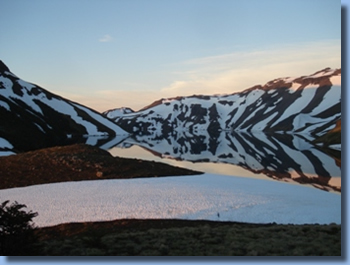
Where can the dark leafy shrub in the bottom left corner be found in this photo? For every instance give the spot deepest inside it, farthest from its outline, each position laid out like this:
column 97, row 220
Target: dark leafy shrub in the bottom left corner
column 16, row 229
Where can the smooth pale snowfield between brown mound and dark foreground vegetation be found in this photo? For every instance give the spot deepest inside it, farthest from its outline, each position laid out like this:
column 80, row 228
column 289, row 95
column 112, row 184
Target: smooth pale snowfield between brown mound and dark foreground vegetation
column 208, row 196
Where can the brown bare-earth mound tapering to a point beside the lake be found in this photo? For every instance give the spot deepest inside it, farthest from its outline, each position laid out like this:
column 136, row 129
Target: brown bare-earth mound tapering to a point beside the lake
column 77, row 162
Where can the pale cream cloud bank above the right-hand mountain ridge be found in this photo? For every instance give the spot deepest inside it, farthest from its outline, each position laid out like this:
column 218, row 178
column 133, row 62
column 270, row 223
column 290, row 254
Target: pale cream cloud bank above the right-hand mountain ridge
column 229, row 73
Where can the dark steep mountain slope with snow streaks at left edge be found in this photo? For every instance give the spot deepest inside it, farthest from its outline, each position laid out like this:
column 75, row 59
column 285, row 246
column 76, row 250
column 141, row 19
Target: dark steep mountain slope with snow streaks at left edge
column 32, row 117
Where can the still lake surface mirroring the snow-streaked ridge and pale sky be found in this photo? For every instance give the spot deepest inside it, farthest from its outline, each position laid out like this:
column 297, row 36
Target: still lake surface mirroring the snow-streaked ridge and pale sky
column 285, row 157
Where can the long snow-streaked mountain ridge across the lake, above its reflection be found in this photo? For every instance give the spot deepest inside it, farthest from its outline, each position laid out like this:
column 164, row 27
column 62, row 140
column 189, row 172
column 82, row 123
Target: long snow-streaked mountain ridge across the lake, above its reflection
column 306, row 105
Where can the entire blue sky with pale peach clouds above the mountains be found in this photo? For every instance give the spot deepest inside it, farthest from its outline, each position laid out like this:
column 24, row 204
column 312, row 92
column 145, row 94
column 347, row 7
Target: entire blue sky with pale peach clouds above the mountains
column 107, row 54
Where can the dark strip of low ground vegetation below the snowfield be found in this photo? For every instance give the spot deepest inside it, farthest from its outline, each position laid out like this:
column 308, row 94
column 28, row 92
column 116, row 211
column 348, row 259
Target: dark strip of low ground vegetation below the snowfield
column 188, row 238
